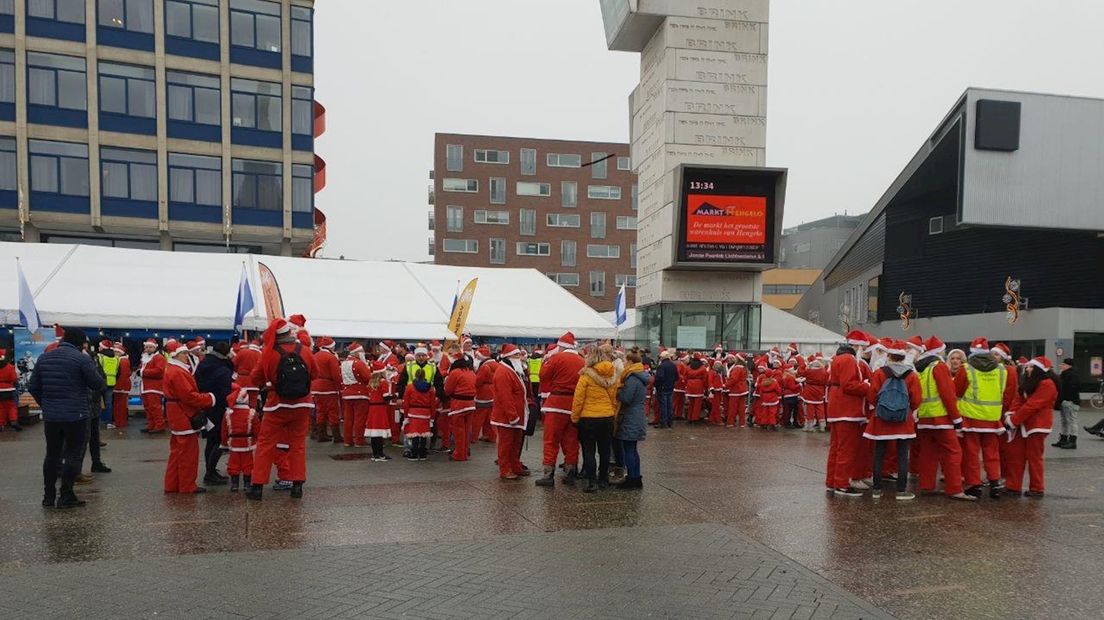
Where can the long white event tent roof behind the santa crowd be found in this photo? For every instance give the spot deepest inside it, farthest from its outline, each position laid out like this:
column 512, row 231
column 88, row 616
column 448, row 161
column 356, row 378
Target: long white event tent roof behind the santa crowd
column 116, row 288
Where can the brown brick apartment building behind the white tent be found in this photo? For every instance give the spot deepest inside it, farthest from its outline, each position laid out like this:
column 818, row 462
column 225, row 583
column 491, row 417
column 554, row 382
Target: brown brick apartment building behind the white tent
column 523, row 202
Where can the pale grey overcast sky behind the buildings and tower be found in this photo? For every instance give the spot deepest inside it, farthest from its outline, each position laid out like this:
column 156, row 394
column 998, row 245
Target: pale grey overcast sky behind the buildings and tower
column 856, row 87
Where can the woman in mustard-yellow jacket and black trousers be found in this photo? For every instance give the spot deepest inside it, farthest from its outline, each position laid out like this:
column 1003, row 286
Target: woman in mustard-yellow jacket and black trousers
column 593, row 411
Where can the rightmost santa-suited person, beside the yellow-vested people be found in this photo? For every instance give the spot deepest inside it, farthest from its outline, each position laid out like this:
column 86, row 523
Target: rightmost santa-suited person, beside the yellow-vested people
column 1029, row 424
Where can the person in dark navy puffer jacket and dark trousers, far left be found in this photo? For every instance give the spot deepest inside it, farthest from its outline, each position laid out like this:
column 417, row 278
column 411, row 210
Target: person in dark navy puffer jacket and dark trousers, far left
column 61, row 383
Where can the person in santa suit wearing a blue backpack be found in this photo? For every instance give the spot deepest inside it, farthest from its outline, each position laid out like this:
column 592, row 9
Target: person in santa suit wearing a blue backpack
column 885, row 429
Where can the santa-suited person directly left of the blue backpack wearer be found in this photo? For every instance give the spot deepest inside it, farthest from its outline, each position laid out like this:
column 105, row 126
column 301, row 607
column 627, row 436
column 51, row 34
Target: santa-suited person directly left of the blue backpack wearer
column 847, row 414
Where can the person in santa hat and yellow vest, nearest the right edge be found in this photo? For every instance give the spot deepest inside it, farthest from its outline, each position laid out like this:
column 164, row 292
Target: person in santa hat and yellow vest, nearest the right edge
column 981, row 388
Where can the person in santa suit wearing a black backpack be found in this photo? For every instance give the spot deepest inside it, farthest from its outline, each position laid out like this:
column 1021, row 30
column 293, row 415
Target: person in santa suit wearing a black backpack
column 288, row 408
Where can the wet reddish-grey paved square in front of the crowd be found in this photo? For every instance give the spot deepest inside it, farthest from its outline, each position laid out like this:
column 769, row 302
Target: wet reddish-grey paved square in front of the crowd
column 707, row 489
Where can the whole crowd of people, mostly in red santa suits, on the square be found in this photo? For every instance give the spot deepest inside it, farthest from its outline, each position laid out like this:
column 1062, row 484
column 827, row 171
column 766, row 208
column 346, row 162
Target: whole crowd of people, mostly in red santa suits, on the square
column 894, row 409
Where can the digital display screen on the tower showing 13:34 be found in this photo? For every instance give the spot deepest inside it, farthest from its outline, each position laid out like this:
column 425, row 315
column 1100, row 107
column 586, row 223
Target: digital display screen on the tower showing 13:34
column 727, row 217
